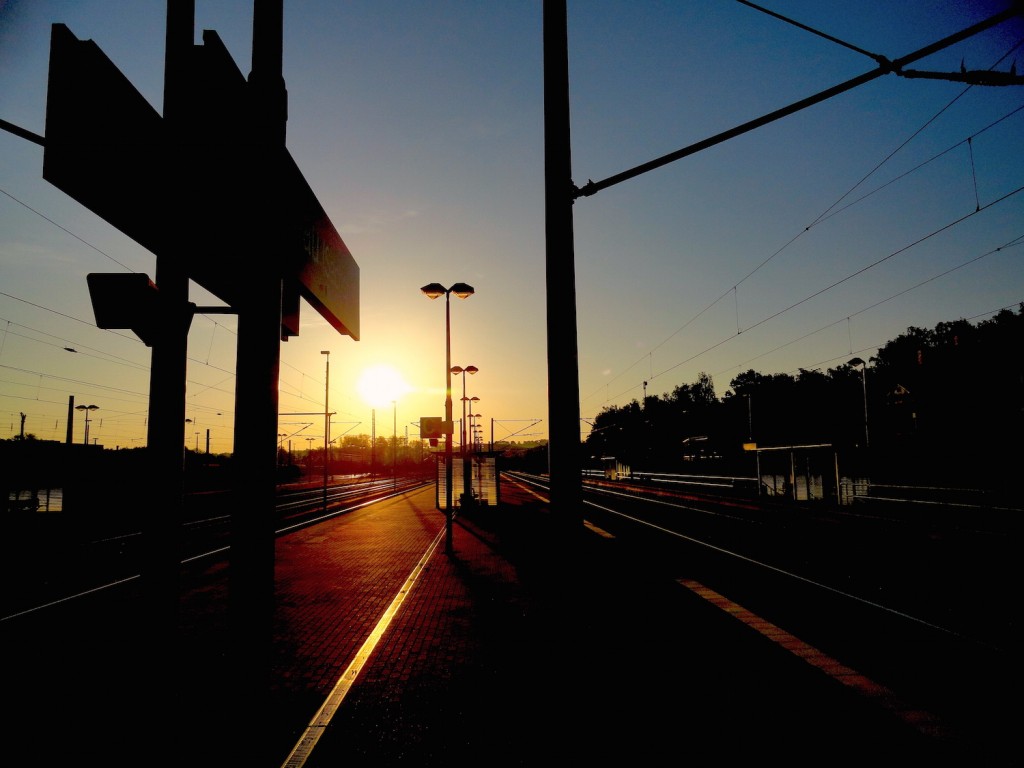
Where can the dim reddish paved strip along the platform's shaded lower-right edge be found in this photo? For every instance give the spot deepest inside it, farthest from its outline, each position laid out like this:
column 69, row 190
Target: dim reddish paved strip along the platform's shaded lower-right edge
column 883, row 697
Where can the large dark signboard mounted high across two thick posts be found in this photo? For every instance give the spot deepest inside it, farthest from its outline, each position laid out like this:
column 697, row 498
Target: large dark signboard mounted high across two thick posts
column 202, row 190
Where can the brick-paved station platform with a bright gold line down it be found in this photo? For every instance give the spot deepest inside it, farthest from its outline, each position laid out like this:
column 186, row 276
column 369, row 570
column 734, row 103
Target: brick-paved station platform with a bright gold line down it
column 527, row 646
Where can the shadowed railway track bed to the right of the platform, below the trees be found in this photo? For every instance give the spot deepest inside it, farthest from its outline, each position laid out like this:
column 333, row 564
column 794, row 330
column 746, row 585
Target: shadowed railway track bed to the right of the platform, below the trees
column 922, row 606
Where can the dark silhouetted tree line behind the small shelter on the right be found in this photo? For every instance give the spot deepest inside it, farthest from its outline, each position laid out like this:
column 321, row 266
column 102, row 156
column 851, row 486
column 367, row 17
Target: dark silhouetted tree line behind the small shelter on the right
column 942, row 406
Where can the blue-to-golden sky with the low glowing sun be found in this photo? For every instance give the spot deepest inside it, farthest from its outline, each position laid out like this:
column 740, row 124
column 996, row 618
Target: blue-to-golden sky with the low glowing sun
column 420, row 126
